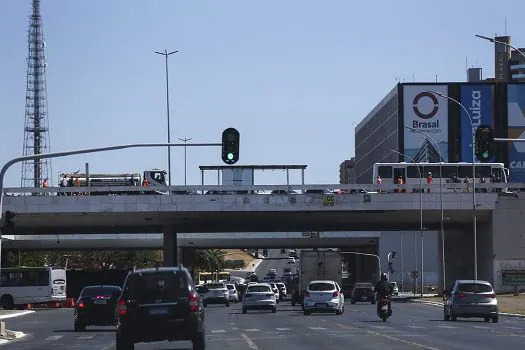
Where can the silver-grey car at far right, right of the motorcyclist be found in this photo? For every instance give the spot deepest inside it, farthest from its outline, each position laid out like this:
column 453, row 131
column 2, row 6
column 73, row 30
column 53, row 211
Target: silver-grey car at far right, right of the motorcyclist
column 469, row 298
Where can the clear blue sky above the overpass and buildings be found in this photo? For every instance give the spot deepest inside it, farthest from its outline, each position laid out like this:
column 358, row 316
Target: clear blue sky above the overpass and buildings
column 292, row 76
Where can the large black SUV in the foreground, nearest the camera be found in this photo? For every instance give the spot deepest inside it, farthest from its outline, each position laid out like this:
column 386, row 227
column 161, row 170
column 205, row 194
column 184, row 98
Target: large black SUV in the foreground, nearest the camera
column 160, row 304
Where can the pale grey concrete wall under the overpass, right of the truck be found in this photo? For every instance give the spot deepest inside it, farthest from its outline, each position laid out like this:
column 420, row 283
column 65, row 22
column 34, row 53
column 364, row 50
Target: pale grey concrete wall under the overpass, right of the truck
column 408, row 254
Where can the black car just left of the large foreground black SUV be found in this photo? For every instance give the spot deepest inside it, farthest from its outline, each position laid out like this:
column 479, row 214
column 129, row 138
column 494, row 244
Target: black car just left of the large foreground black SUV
column 96, row 307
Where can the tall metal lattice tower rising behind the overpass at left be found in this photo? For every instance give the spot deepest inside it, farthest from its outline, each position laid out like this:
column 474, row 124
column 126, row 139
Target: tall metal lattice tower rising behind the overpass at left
column 36, row 127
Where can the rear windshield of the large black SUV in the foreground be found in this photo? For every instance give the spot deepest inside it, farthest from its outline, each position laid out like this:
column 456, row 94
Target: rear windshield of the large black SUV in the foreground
column 151, row 287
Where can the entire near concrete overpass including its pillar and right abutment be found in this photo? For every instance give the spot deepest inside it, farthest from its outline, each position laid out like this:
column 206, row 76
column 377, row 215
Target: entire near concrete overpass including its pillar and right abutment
column 500, row 240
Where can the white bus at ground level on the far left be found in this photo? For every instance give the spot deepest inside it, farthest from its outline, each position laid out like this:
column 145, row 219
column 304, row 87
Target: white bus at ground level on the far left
column 31, row 285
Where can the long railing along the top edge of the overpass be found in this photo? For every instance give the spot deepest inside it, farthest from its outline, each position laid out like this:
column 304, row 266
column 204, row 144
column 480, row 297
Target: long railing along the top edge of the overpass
column 320, row 189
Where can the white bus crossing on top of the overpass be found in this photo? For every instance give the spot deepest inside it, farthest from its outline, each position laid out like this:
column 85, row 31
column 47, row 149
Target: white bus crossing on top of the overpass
column 390, row 172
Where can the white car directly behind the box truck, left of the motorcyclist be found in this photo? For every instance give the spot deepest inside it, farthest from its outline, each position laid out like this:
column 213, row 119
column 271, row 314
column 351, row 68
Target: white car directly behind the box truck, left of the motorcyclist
column 324, row 296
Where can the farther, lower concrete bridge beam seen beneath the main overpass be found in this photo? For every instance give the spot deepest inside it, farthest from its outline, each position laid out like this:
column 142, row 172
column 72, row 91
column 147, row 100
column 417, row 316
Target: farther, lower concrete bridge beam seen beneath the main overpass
column 192, row 240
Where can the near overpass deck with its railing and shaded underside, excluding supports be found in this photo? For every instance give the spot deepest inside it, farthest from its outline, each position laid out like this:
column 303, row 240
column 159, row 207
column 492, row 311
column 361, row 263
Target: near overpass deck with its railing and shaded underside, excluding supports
column 228, row 211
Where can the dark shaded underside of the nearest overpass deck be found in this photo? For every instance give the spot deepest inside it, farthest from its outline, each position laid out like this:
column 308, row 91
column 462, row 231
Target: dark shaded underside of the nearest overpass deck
column 239, row 222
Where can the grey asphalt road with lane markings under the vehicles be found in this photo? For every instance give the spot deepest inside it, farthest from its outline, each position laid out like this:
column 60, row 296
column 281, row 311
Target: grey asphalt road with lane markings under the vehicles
column 412, row 326
